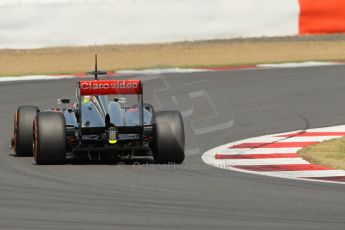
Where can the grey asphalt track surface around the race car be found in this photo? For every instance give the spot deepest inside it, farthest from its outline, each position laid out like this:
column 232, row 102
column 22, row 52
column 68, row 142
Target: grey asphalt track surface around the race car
column 193, row 195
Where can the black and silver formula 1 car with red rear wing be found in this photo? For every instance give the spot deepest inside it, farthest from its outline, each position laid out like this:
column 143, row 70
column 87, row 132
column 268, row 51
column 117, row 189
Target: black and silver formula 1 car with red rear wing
column 99, row 125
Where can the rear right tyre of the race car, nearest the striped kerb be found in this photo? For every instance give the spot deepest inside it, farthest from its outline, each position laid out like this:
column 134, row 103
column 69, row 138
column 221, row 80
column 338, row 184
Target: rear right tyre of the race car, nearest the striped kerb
column 169, row 139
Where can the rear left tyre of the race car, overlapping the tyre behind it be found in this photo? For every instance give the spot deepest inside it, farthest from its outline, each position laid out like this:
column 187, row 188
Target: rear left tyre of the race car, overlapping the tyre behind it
column 49, row 138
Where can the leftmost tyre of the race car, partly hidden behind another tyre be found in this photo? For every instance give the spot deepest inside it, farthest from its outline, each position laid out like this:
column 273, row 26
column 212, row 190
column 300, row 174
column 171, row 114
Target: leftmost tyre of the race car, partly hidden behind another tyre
column 23, row 130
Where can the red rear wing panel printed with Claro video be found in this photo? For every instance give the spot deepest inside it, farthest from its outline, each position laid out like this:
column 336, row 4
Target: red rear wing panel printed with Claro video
column 110, row 87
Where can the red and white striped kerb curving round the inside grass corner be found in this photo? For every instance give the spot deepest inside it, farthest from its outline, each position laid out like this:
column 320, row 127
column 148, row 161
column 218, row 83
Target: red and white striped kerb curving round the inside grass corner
column 276, row 155
